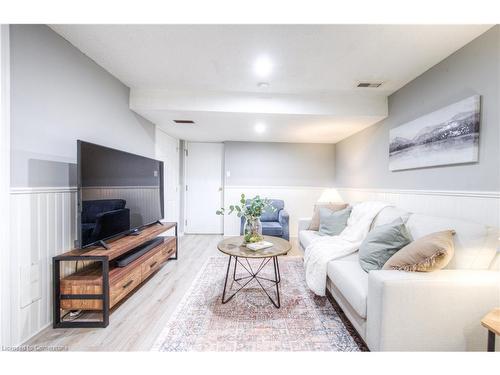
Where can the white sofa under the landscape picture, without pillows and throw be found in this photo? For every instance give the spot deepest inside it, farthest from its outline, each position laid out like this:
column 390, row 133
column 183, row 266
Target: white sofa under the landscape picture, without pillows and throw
column 414, row 311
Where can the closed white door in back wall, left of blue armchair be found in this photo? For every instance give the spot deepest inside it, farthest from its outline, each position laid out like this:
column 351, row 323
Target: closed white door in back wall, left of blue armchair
column 203, row 188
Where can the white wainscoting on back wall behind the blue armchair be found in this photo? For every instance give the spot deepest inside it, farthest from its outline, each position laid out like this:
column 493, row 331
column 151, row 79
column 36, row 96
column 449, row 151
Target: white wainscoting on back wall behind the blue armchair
column 299, row 202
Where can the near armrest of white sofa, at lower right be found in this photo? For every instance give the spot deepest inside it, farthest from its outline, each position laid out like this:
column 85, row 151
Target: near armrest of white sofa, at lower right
column 422, row 311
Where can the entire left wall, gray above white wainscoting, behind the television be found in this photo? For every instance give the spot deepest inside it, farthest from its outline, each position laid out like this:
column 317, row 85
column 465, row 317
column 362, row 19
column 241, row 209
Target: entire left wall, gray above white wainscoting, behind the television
column 58, row 96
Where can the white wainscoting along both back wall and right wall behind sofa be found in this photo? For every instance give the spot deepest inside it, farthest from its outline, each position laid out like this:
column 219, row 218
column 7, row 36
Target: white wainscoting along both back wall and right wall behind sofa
column 478, row 206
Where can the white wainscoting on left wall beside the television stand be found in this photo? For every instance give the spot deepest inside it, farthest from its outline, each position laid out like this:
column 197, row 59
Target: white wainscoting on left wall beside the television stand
column 43, row 224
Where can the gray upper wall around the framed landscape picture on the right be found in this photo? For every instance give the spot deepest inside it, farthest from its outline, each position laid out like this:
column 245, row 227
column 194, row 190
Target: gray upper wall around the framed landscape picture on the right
column 362, row 160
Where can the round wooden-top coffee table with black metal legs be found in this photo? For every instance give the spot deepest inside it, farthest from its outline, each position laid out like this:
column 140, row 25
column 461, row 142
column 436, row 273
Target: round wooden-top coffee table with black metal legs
column 233, row 246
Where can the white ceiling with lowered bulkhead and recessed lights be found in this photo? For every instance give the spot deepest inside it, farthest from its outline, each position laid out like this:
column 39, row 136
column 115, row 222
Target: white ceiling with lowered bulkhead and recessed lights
column 314, row 68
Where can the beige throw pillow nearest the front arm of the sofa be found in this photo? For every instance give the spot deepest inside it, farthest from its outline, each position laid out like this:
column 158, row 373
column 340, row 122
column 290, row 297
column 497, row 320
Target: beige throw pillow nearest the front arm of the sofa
column 429, row 253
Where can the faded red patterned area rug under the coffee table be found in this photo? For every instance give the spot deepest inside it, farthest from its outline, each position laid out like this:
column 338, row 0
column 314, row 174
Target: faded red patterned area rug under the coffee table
column 249, row 321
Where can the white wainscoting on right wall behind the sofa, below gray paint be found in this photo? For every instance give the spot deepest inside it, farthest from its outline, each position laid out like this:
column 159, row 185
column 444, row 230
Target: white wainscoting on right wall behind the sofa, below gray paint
column 479, row 206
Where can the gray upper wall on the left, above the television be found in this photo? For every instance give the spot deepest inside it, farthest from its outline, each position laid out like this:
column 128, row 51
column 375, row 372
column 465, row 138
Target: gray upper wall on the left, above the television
column 59, row 95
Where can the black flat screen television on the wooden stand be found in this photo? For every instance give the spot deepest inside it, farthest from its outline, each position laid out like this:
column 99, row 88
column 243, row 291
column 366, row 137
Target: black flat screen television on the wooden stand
column 118, row 193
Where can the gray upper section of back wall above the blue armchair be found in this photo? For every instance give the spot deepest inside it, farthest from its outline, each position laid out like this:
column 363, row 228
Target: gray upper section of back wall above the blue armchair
column 279, row 164
